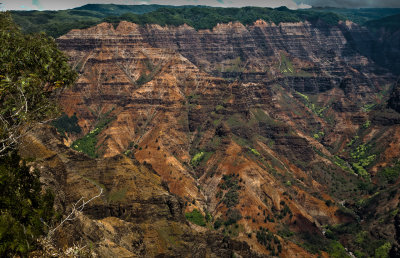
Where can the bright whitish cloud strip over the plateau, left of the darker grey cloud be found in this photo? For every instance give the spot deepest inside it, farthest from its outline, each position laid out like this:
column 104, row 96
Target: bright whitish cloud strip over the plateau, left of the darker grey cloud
column 67, row 4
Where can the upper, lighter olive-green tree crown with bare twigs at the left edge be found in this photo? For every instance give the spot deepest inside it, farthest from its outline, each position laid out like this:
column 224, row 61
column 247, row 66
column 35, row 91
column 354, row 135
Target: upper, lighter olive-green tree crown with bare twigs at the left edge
column 32, row 70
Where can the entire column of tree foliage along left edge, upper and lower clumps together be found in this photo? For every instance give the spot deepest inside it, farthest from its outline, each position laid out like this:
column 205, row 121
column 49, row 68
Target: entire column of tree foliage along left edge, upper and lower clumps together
column 32, row 70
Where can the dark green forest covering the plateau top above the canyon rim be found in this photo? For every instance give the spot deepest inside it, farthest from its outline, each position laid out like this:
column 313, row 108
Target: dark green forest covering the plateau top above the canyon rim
column 57, row 23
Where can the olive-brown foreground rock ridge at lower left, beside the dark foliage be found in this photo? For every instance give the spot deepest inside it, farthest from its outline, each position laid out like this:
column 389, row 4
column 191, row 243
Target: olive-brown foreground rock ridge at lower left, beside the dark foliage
column 134, row 217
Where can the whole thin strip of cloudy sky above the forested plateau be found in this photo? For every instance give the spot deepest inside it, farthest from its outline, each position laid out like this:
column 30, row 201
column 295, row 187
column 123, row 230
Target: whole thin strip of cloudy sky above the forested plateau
column 293, row 4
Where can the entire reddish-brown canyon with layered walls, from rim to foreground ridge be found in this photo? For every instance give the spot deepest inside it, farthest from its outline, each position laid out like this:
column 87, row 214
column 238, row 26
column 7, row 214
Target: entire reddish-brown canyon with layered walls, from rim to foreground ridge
column 280, row 136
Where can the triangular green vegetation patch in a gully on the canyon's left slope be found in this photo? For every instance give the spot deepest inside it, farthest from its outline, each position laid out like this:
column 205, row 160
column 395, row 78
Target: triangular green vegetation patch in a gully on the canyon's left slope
column 88, row 144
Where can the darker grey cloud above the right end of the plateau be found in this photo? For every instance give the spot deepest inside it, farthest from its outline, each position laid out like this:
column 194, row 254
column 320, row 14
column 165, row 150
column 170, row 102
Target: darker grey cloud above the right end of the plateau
column 352, row 3
